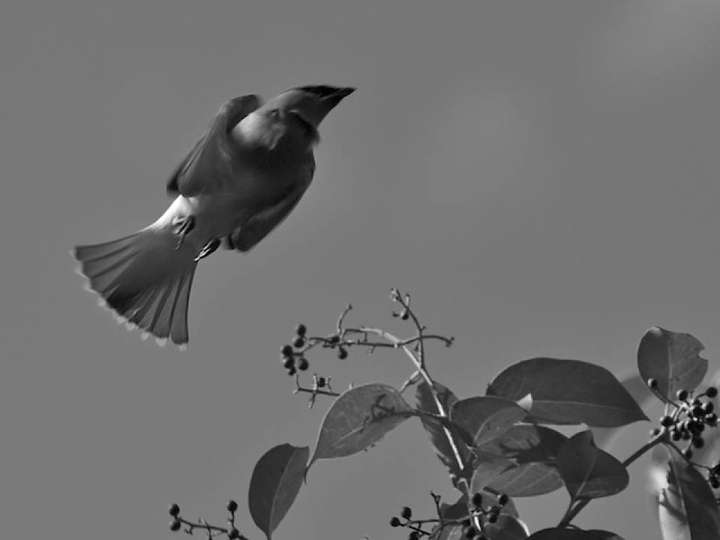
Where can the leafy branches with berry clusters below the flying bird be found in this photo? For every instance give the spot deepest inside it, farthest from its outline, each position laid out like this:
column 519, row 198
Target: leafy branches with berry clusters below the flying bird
column 500, row 446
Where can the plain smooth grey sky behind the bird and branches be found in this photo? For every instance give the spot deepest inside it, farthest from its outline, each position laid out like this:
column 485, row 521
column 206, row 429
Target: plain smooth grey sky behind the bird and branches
column 542, row 176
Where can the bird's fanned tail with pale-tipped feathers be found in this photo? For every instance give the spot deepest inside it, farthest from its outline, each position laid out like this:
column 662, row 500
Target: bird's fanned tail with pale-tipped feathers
column 145, row 279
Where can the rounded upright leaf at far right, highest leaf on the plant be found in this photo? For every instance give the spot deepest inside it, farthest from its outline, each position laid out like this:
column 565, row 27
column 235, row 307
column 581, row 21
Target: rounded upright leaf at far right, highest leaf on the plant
column 672, row 359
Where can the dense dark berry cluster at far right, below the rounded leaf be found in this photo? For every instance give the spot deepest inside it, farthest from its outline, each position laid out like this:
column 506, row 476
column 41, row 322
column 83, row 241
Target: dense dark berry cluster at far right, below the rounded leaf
column 689, row 419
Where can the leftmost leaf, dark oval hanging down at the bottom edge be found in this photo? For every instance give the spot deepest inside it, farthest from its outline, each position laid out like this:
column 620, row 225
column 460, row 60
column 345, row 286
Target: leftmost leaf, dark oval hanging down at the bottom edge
column 275, row 483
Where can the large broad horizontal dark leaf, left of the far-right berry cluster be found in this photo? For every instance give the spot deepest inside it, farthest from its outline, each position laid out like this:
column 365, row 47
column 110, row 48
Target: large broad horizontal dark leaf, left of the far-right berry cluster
column 568, row 392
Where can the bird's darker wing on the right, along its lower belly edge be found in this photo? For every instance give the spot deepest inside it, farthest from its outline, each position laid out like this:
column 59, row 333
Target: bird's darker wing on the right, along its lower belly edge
column 266, row 219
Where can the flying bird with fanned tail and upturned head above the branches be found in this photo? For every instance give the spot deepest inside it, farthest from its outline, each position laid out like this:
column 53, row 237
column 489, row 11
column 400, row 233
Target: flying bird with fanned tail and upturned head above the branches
column 239, row 181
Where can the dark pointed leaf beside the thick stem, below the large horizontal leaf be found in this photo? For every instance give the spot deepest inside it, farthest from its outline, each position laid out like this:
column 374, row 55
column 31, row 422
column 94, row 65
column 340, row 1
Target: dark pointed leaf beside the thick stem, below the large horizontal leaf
column 589, row 472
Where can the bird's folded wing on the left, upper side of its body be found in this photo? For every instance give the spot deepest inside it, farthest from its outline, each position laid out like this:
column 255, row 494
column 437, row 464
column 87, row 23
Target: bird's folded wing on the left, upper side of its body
column 208, row 163
